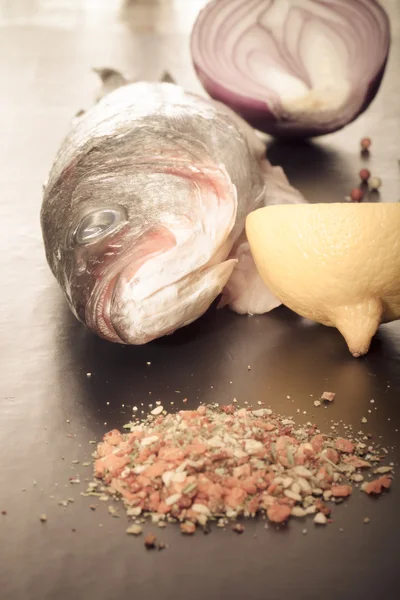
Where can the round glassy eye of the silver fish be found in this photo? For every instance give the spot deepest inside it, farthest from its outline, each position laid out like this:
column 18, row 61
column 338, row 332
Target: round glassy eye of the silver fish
column 97, row 225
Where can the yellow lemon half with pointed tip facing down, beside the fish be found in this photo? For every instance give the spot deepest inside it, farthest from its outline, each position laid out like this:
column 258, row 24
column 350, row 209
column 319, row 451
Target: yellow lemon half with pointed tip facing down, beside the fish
column 337, row 264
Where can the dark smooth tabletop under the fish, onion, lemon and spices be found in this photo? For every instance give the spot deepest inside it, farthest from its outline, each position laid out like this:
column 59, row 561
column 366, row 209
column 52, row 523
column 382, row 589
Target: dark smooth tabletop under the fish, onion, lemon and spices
column 50, row 408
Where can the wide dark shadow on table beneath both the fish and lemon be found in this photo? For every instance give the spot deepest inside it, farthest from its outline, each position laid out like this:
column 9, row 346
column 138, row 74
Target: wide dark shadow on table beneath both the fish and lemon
column 208, row 362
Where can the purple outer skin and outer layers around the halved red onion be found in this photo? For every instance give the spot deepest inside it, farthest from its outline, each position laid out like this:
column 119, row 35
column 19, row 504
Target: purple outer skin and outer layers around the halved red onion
column 266, row 114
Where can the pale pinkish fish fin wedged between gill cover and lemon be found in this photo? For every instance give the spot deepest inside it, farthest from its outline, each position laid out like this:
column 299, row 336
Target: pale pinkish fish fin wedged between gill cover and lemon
column 245, row 292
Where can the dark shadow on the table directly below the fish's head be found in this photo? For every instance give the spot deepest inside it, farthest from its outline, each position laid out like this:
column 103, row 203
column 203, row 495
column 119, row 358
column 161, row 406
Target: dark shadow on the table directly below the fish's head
column 196, row 362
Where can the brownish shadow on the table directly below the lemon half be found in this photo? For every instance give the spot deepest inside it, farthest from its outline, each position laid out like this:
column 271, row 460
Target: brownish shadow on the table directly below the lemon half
column 312, row 359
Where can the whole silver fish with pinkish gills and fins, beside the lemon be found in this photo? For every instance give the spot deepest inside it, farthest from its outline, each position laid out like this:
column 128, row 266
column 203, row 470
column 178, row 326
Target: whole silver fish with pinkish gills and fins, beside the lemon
column 144, row 211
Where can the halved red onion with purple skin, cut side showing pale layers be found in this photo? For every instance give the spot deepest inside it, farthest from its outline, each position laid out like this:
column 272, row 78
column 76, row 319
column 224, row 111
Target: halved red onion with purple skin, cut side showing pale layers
column 292, row 67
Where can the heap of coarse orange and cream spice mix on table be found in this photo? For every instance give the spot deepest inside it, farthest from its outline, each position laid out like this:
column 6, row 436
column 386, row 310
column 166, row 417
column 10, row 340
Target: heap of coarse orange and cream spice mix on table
column 215, row 464
